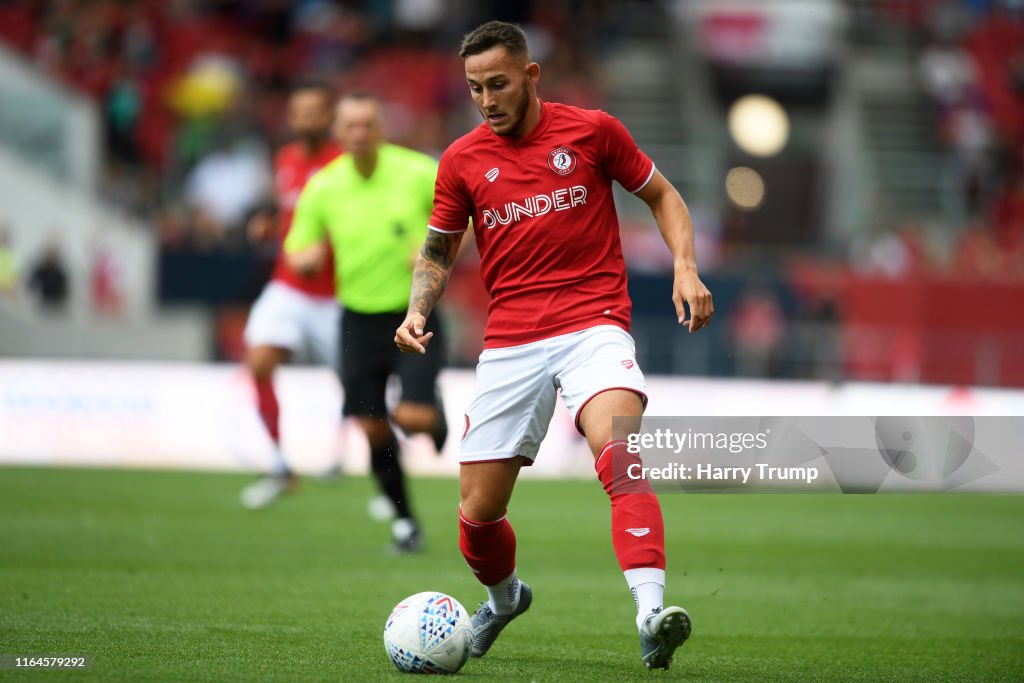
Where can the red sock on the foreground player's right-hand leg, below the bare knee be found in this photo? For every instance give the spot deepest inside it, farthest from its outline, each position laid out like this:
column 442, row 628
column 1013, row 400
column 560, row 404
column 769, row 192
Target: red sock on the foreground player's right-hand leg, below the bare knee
column 637, row 529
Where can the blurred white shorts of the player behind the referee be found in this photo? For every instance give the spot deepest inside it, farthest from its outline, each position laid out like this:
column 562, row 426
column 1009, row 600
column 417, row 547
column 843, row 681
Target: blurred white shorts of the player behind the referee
column 286, row 318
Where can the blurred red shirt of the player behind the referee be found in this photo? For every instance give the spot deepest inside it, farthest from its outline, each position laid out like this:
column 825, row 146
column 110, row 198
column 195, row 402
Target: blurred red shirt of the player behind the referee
column 293, row 167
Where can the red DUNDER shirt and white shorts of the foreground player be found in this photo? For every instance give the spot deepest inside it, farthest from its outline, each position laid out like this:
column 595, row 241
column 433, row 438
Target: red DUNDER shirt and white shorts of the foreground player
column 550, row 257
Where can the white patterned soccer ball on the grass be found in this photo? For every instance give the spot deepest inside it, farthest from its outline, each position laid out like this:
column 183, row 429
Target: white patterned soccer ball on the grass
column 429, row 633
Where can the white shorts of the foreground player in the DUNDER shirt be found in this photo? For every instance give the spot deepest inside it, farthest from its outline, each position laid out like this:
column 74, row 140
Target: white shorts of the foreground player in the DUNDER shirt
column 517, row 388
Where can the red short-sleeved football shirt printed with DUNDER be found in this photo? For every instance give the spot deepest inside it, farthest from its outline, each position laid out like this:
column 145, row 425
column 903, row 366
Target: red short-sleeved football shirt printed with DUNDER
column 545, row 221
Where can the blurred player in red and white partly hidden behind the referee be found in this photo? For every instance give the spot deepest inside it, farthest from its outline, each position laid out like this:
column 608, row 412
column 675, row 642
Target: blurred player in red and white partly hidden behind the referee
column 295, row 312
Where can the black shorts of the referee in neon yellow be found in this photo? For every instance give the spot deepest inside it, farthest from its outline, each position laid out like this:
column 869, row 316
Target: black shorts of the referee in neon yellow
column 369, row 357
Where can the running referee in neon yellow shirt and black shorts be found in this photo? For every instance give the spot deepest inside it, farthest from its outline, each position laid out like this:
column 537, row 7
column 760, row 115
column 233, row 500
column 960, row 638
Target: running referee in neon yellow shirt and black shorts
column 373, row 203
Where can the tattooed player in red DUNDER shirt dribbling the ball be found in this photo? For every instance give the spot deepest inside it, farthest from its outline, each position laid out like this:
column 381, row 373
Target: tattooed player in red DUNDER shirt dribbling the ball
column 536, row 179
